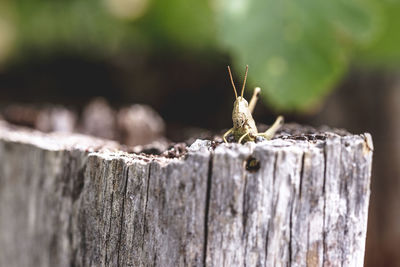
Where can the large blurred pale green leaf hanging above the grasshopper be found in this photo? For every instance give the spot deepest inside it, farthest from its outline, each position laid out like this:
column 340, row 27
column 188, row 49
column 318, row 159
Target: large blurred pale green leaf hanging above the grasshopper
column 296, row 50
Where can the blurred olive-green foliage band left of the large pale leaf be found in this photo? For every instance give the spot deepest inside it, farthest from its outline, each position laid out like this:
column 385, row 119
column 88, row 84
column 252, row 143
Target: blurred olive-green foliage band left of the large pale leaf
column 89, row 26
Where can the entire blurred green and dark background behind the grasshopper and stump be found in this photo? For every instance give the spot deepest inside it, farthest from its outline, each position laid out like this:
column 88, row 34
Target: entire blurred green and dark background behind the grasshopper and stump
column 334, row 63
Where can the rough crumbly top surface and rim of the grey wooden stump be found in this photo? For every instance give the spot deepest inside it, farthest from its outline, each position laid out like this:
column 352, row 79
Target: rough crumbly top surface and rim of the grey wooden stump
column 291, row 135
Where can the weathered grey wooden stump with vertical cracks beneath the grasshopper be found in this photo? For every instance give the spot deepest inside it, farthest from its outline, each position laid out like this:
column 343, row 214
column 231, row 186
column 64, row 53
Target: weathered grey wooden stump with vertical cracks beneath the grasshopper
column 73, row 200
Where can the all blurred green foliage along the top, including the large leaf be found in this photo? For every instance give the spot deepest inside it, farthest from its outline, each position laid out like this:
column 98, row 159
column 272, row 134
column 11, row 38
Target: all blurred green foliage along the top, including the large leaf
column 297, row 51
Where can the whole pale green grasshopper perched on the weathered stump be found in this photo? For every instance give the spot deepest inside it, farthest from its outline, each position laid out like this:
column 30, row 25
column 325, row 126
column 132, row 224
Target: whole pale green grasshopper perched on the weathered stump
column 244, row 127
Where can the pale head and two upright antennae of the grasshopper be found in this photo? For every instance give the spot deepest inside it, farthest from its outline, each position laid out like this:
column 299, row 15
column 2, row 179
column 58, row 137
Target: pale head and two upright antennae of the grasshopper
column 240, row 112
